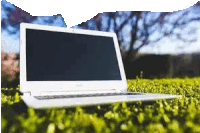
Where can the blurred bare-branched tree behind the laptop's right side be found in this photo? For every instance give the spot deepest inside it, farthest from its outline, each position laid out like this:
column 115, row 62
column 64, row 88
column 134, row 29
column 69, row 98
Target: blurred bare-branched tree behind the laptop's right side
column 144, row 24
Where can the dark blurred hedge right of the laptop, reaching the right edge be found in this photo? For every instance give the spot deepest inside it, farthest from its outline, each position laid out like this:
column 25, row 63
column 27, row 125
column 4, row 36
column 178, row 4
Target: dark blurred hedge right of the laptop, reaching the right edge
column 160, row 66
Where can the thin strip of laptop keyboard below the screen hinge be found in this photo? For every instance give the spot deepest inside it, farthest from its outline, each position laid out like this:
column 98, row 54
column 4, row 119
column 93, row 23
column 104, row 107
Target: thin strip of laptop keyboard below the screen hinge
column 82, row 95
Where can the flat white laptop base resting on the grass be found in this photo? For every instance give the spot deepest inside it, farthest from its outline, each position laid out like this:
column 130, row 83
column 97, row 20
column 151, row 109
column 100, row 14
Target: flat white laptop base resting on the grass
column 31, row 101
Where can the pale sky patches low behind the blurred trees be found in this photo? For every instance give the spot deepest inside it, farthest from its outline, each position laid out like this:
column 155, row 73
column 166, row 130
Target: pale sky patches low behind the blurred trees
column 166, row 46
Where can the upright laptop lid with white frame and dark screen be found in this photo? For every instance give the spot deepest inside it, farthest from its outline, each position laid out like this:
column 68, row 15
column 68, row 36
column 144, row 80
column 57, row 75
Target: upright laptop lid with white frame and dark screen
column 59, row 59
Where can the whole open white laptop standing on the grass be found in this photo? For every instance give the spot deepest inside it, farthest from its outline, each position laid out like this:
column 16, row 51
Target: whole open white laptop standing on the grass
column 62, row 67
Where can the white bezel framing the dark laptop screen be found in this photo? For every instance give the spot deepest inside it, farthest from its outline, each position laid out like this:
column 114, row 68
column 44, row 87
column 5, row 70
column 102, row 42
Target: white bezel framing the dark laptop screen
column 43, row 86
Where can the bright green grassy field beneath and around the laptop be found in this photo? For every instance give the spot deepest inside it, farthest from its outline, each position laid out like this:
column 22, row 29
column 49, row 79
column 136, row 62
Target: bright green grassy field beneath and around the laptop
column 162, row 116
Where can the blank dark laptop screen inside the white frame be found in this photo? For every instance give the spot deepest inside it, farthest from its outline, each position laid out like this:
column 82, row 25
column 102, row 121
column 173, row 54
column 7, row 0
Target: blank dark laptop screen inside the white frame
column 60, row 56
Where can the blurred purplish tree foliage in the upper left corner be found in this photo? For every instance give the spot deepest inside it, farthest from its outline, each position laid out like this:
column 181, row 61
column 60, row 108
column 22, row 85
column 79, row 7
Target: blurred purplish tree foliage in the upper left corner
column 15, row 15
